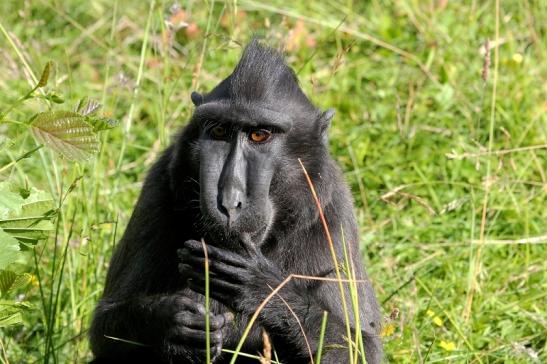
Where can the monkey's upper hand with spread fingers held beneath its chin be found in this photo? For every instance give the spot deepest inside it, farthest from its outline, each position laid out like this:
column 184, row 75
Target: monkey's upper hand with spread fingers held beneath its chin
column 239, row 281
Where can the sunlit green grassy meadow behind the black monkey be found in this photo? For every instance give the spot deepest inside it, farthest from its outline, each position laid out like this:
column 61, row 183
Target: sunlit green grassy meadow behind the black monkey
column 453, row 235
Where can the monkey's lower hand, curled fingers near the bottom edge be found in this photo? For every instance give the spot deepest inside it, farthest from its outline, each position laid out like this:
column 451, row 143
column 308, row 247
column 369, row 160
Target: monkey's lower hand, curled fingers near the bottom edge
column 182, row 321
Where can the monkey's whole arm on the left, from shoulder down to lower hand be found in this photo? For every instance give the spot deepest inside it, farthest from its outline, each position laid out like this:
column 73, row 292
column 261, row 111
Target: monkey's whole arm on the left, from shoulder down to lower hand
column 146, row 310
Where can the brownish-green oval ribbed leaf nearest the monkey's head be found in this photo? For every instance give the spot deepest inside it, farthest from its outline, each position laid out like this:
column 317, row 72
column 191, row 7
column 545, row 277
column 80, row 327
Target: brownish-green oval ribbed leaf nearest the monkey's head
column 67, row 133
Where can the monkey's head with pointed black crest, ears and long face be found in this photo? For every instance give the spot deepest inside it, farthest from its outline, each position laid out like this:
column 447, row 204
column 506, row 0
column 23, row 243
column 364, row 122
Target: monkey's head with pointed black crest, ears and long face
column 253, row 127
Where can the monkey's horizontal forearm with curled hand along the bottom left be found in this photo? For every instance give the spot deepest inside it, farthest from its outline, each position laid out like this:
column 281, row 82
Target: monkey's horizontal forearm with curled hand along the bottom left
column 146, row 325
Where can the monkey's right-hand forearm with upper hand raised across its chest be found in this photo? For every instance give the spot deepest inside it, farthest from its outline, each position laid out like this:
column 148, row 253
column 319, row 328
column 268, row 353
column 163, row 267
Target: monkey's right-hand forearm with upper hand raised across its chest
column 244, row 282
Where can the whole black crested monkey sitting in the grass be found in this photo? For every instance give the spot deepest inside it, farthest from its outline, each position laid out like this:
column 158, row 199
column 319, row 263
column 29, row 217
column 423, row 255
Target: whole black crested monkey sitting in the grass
column 233, row 179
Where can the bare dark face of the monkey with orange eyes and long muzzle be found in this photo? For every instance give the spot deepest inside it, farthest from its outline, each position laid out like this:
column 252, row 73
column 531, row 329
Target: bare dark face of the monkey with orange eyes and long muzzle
column 237, row 164
